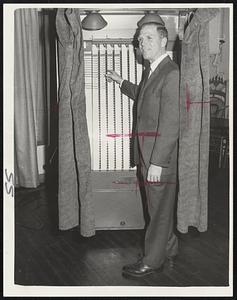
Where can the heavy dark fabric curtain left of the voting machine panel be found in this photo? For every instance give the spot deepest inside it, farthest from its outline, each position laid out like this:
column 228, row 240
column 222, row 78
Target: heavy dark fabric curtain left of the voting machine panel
column 75, row 192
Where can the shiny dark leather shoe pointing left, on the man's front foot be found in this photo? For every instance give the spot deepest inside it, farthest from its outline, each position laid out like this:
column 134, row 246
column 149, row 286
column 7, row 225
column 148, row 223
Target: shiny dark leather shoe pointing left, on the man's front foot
column 140, row 269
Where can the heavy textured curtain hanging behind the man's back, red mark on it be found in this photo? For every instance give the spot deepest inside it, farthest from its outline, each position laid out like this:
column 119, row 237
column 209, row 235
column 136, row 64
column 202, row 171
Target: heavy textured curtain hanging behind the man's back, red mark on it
column 192, row 208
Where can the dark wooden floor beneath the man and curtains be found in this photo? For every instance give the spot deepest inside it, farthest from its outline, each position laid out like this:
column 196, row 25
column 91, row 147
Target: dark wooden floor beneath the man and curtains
column 45, row 256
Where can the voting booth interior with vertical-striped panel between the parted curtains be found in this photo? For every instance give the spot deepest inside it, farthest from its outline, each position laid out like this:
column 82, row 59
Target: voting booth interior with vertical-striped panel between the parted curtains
column 116, row 192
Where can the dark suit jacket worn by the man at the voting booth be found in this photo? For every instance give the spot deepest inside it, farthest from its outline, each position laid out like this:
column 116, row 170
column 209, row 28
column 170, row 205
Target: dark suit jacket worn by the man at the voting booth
column 157, row 119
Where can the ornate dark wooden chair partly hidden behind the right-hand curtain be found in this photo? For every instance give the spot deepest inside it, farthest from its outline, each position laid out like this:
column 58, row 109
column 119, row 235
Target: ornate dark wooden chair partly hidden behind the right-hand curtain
column 219, row 130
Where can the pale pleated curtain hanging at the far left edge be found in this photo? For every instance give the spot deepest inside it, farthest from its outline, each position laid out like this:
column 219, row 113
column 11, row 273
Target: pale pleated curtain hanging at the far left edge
column 26, row 92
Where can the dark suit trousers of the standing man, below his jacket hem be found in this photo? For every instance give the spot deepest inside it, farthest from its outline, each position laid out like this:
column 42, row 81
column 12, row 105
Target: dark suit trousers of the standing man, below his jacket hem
column 160, row 240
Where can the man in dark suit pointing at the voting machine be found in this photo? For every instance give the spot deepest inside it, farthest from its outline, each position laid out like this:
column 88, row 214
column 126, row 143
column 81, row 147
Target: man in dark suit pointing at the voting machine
column 157, row 130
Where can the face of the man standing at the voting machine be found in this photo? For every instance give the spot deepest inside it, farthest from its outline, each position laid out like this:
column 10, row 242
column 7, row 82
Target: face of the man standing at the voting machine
column 150, row 42
